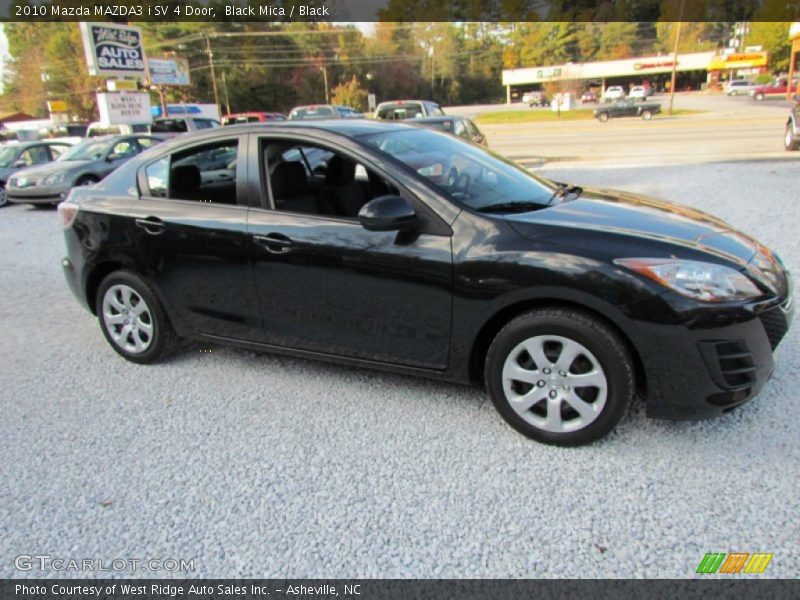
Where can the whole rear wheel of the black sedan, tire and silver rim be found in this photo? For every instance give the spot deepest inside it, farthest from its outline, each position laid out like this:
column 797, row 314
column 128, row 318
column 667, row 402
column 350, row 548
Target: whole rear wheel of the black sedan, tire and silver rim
column 152, row 338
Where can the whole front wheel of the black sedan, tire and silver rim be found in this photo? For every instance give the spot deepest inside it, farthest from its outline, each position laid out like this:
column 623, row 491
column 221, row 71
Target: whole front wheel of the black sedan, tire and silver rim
column 551, row 416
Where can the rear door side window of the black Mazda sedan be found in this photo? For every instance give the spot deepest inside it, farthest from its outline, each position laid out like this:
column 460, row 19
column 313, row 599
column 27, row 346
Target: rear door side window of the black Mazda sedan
column 204, row 173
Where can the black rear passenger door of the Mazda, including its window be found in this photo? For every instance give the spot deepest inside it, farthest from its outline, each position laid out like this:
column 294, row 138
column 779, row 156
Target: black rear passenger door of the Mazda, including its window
column 190, row 230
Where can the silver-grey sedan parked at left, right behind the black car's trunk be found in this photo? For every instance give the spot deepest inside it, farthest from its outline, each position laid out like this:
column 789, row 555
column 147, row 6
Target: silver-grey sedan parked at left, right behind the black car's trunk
column 84, row 164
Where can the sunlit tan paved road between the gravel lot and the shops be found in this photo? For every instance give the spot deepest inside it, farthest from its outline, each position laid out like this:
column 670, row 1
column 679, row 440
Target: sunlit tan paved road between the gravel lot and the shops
column 735, row 128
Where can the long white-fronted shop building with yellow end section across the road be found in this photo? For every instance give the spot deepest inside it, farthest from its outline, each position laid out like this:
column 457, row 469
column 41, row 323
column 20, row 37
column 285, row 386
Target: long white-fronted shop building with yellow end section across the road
column 694, row 71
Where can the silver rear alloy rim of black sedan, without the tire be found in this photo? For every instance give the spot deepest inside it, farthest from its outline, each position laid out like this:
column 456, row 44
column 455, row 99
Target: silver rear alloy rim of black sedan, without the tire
column 127, row 319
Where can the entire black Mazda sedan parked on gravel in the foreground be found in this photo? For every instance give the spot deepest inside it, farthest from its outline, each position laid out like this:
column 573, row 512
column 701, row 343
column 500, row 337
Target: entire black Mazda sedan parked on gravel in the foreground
column 407, row 249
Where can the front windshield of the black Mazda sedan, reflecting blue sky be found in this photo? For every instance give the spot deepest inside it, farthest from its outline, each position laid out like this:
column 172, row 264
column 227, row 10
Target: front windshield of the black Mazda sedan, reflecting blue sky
column 467, row 173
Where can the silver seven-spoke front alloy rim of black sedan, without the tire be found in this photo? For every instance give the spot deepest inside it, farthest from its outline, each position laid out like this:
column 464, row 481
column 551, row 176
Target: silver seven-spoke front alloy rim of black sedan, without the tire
column 554, row 383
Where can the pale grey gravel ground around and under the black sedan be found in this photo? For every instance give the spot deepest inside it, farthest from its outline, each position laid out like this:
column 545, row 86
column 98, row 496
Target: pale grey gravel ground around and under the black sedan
column 256, row 465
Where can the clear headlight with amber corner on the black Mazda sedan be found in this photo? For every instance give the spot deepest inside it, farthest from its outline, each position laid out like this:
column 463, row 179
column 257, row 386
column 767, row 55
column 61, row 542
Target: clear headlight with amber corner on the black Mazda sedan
column 699, row 280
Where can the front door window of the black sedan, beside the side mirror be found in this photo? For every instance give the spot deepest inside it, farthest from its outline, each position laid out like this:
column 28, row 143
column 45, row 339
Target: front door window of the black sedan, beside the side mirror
column 313, row 180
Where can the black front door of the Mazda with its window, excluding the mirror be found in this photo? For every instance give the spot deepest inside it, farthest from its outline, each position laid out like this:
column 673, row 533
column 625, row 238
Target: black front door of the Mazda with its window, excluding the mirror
column 328, row 285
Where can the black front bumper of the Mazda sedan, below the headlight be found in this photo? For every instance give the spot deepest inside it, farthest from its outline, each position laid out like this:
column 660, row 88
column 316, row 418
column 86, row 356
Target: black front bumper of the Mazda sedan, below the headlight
column 708, row 371
